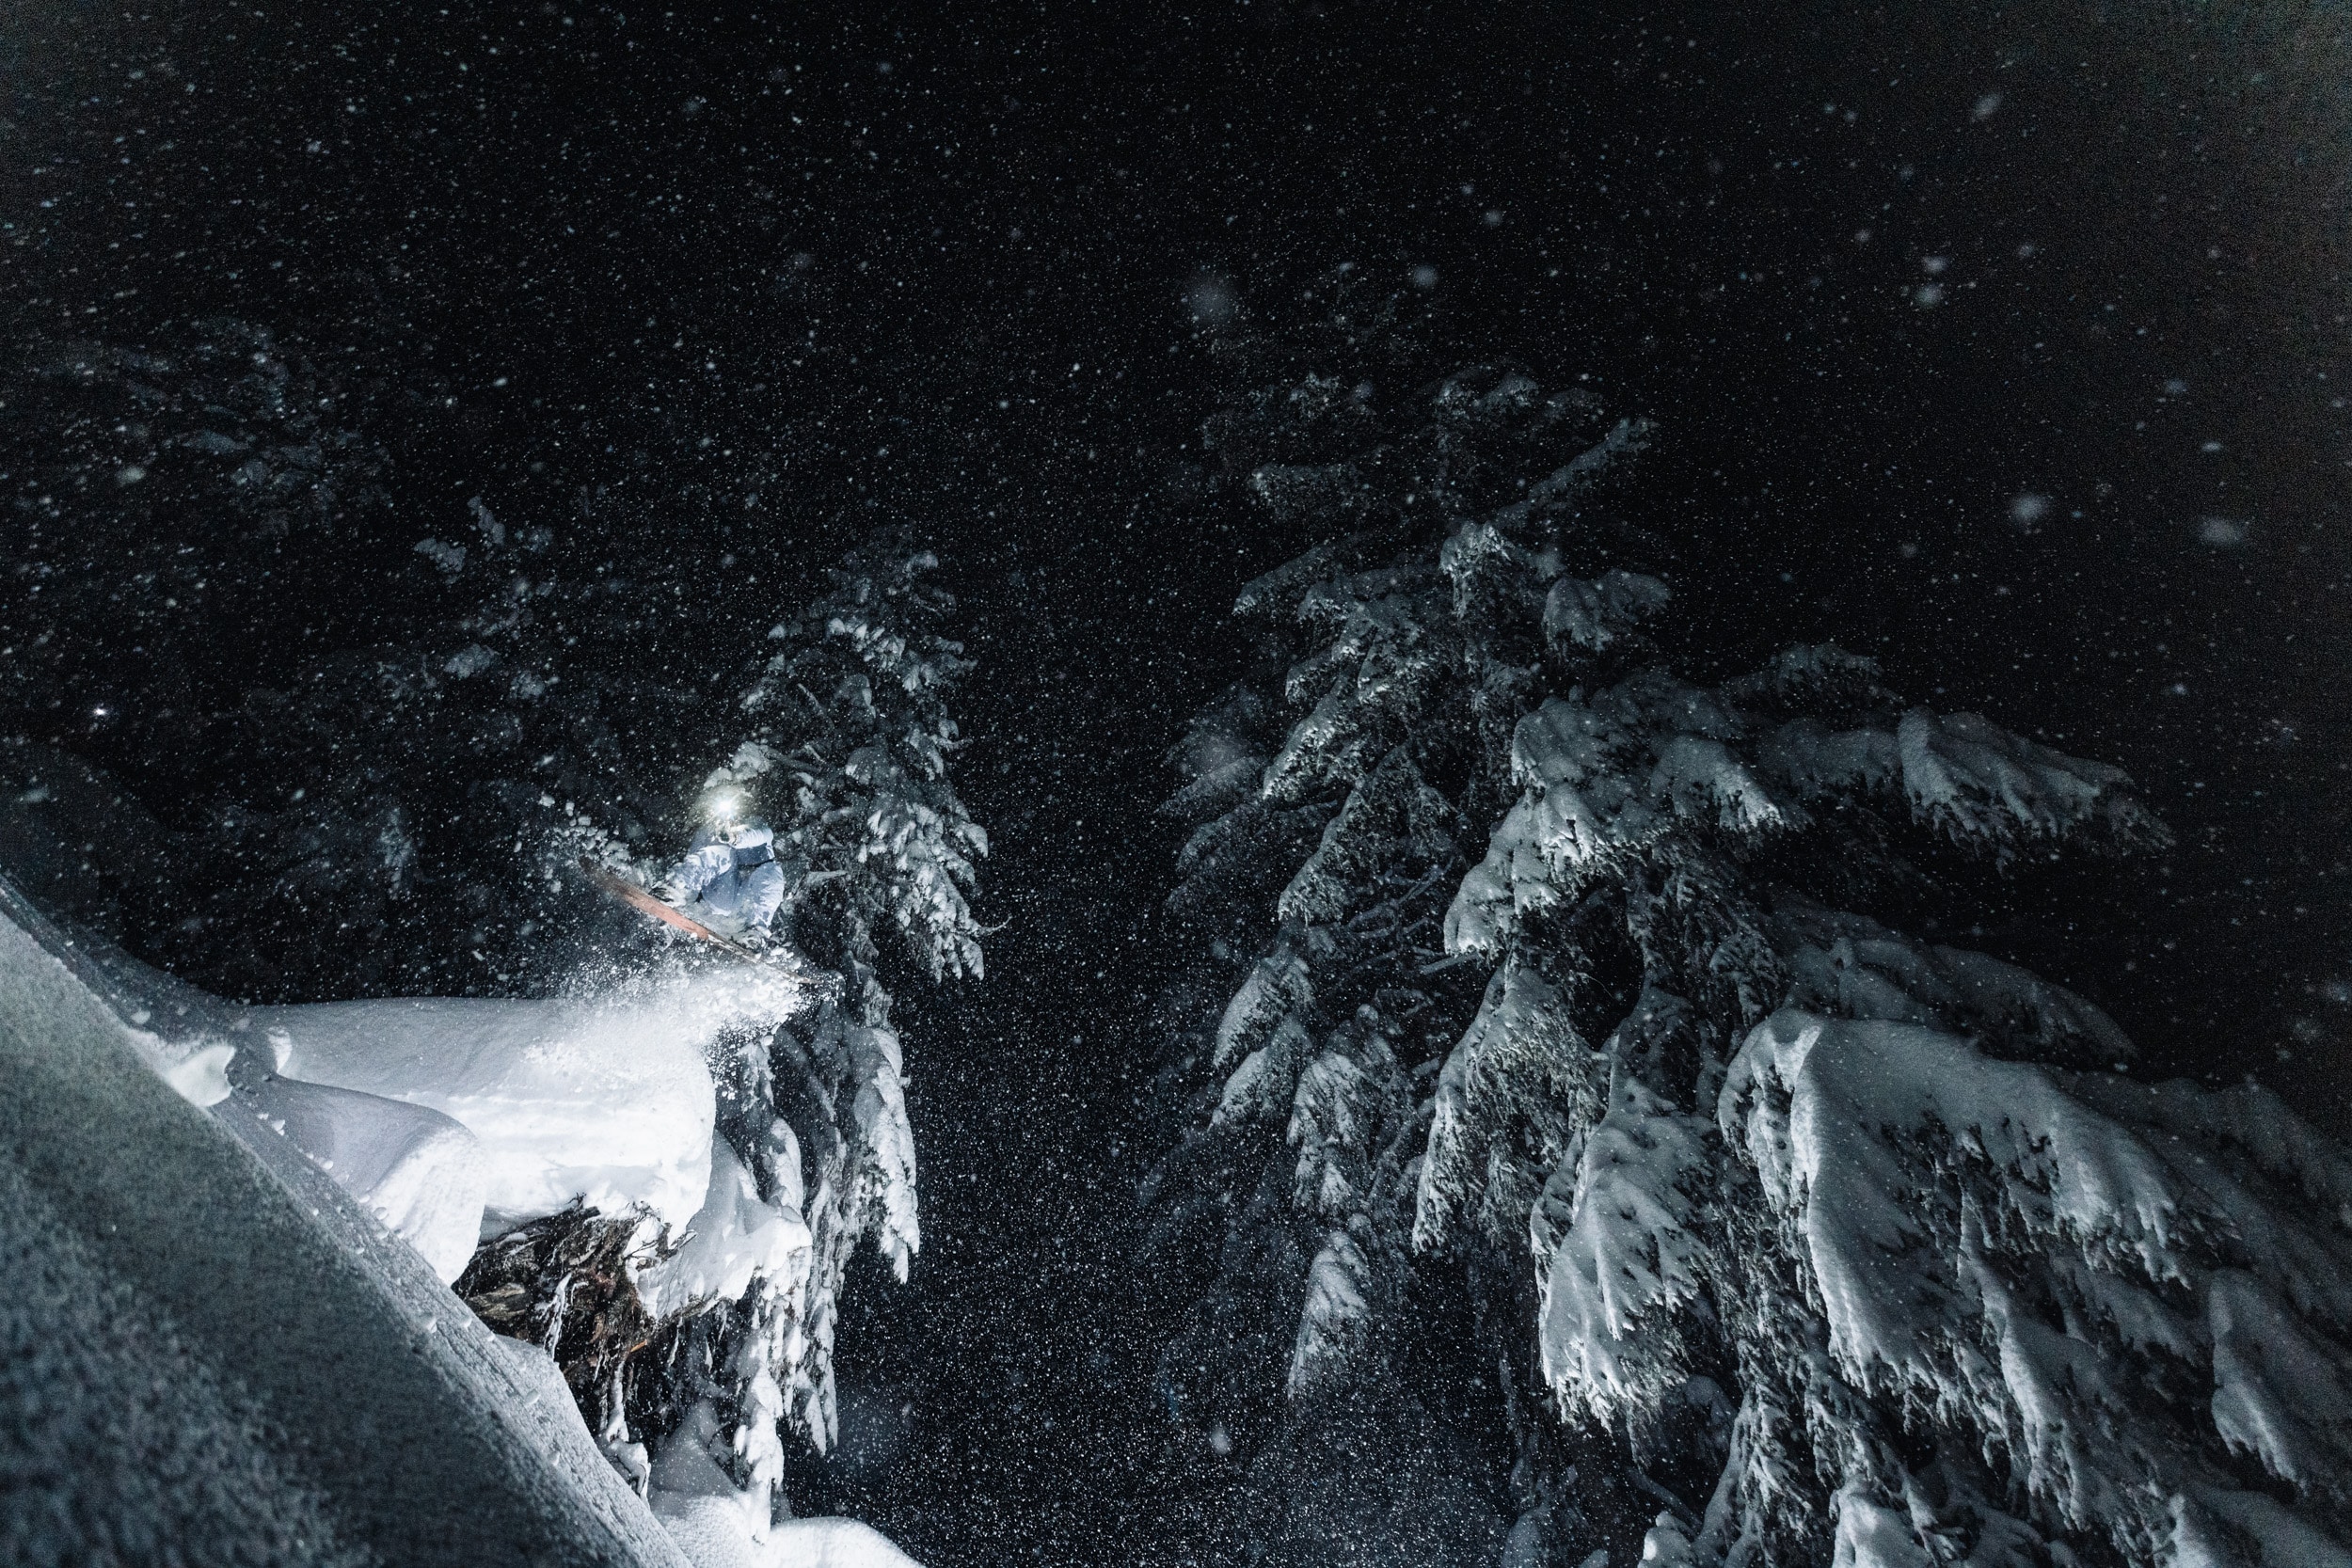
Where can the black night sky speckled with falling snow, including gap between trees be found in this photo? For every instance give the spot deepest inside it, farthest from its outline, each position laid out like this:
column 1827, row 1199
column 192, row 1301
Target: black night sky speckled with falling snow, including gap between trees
column 1878, row 274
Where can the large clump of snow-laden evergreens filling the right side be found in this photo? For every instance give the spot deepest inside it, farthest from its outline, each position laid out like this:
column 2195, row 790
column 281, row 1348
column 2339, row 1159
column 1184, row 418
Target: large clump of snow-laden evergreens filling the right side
column 1561, row 1028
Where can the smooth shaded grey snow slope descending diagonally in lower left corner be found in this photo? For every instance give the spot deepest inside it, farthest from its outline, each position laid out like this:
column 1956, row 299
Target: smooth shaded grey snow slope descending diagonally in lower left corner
column 211, row 1341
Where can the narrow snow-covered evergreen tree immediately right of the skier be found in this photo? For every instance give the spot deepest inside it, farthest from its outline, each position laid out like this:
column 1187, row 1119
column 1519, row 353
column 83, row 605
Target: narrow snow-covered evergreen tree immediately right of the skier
column 848, row 758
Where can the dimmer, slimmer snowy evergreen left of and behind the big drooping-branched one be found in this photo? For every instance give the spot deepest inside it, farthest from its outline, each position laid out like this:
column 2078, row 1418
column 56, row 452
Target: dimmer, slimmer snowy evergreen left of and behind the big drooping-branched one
column 1337, row 793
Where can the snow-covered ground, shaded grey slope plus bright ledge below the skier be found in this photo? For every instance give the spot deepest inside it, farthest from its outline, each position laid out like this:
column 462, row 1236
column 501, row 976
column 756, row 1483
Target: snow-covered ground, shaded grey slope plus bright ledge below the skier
column 232, row 1235
